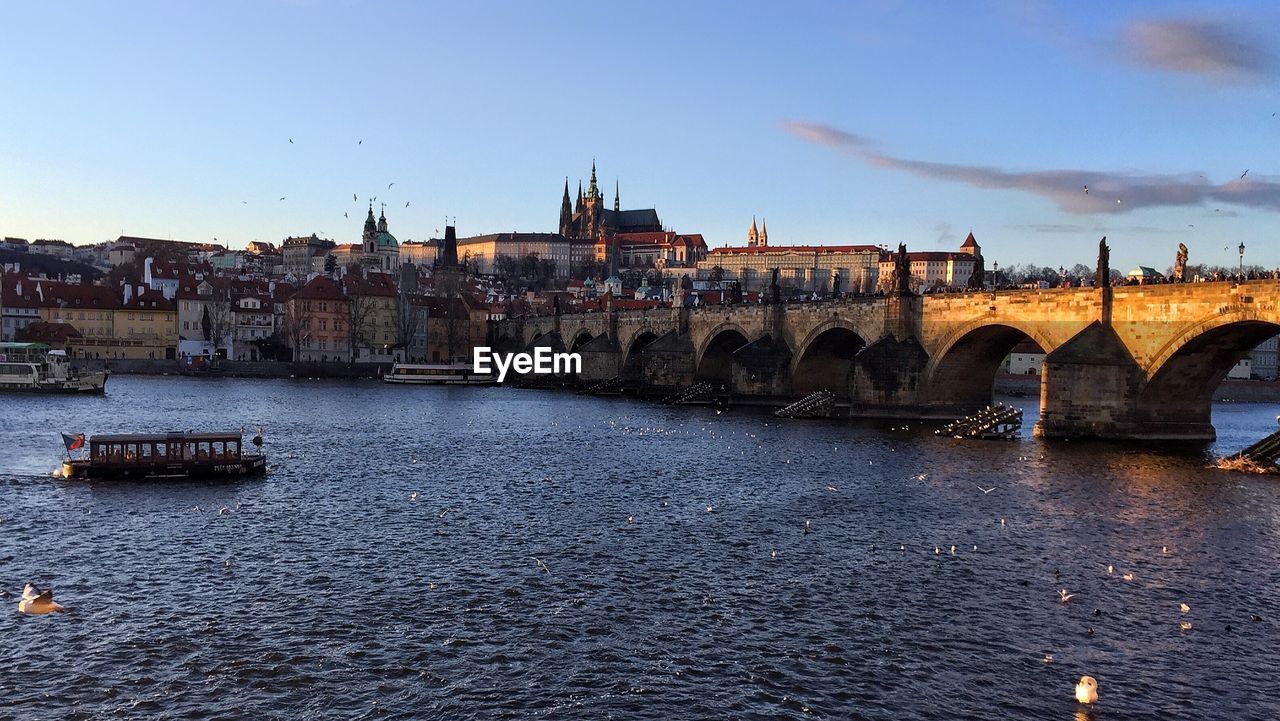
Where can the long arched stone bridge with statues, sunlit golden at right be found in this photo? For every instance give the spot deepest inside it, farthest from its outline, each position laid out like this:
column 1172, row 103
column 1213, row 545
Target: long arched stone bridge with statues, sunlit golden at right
column 1135, row 362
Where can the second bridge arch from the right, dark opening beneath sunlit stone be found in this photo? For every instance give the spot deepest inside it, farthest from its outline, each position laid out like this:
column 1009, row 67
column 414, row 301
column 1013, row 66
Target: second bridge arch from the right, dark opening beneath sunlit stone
column 962, row 373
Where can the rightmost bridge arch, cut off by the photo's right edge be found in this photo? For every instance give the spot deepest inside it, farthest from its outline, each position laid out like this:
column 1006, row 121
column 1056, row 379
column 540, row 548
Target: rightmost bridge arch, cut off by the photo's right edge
column 1186, row 372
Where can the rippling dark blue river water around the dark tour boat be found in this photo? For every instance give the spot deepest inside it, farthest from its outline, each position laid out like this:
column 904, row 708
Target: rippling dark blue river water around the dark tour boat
column 676, row 578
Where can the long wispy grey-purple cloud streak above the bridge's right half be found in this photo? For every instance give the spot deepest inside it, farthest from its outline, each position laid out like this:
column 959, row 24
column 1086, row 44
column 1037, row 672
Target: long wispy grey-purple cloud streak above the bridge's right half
column 1109, row 193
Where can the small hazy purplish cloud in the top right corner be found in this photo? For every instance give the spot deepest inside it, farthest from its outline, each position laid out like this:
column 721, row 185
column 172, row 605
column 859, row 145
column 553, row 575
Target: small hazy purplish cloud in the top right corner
column 1197, row 48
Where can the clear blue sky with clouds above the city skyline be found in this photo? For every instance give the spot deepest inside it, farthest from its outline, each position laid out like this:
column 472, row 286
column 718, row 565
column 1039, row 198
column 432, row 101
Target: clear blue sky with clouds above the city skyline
column 838, row 122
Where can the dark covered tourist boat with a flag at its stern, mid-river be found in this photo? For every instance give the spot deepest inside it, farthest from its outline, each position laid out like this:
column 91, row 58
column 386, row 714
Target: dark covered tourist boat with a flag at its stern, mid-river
column 164, row 455
